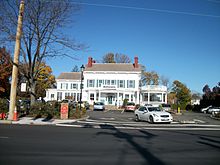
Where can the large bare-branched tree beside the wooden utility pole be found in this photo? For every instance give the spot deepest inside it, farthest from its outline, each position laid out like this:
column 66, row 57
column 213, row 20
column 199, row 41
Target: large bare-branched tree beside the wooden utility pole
column 42, row 36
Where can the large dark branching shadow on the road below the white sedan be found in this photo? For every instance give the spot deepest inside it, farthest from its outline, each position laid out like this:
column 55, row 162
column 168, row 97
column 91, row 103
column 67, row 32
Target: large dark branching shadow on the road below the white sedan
column 144, row 152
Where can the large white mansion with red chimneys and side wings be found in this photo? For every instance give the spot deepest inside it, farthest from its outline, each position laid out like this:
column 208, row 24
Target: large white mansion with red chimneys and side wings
column 109, row 83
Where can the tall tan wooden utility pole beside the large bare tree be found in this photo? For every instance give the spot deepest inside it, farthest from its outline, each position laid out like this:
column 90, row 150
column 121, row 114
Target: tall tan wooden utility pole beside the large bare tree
column 13, row 92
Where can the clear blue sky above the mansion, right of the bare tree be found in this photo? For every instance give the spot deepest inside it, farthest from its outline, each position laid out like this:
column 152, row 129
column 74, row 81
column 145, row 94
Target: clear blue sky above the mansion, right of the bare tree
column 179, row 39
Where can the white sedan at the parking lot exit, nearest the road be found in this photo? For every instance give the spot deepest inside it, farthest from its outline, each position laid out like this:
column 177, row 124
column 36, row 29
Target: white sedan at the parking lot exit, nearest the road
column 152, row 115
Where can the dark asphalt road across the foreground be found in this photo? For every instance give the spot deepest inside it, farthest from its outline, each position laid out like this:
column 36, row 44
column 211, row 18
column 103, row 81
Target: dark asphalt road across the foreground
column 28, row 144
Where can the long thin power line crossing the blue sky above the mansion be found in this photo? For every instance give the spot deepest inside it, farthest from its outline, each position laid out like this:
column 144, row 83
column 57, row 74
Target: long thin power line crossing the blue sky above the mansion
column 147, row 9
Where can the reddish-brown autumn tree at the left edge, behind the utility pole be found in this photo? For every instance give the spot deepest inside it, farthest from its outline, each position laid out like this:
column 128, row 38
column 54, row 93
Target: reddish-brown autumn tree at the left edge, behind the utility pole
column 5, row 72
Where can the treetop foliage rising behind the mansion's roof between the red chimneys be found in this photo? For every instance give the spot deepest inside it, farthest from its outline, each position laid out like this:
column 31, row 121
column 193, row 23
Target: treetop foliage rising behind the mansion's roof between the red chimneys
column 115, row 58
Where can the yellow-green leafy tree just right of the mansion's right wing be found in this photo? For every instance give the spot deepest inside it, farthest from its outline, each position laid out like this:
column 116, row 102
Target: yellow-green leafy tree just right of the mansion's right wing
column 183, row 94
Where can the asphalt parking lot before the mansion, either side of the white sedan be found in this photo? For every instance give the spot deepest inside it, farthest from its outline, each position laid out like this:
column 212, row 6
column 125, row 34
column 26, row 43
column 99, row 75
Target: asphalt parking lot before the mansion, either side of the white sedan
column 122, row 116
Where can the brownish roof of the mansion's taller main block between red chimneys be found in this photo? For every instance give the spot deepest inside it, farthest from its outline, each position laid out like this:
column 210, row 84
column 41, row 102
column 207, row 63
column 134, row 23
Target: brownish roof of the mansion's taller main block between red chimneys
column 126, row 67
